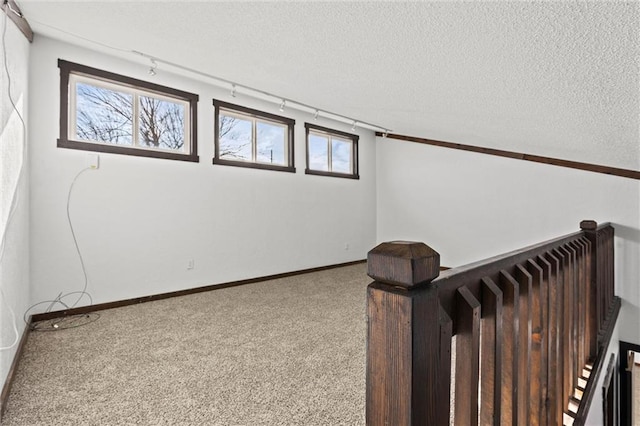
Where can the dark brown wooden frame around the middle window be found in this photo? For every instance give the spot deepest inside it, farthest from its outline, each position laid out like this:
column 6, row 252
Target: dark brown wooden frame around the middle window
column 285, row 121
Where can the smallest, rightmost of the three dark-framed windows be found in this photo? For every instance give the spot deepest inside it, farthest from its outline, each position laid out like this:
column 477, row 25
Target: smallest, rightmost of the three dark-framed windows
column 331, row 153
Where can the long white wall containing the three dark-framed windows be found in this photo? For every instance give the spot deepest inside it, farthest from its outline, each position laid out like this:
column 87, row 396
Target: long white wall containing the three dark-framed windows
column 139, row 220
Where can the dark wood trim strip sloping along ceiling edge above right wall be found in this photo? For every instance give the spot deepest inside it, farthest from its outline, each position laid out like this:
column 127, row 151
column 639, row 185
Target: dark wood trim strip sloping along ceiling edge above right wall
column 596, row 168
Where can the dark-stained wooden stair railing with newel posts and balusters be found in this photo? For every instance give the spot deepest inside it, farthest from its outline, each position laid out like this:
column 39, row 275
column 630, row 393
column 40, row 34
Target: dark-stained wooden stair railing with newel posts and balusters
column 509, row 340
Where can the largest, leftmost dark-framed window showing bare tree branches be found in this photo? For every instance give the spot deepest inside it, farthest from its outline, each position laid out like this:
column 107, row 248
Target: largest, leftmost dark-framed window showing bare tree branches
column 106, row 112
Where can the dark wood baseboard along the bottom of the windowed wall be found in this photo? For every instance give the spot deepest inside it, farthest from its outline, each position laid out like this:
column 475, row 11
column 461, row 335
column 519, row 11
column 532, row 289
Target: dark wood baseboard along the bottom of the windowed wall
column 134, row 301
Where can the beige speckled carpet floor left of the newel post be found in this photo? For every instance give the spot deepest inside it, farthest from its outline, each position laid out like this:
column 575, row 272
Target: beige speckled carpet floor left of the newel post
column 283, row 352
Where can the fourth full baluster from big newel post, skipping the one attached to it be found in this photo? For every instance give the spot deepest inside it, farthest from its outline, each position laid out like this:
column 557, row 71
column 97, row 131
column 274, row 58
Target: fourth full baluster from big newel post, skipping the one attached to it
column 525, row 281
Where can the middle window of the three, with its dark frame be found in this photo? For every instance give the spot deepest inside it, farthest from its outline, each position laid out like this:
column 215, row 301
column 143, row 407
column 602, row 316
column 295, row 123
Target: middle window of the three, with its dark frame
column 249, row 138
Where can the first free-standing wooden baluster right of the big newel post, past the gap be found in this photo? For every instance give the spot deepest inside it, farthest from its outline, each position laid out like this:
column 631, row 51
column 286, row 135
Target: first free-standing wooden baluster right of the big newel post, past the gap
column 467, row 358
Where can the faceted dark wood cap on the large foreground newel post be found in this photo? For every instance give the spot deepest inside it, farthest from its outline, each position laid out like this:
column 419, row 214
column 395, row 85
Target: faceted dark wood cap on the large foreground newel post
column 403, row 263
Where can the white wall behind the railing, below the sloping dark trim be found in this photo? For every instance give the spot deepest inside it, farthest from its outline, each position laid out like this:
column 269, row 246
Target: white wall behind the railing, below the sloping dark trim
column 470, row 206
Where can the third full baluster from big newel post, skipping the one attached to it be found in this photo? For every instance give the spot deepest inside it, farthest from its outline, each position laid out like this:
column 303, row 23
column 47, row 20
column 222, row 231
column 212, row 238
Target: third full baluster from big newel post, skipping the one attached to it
column 511, row 353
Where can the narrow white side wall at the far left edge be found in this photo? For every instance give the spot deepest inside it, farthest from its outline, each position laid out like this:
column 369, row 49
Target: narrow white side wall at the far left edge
column 14, row 223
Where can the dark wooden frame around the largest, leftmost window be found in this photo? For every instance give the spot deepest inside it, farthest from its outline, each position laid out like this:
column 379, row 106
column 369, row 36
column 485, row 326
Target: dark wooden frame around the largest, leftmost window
column 67, row 68
